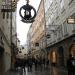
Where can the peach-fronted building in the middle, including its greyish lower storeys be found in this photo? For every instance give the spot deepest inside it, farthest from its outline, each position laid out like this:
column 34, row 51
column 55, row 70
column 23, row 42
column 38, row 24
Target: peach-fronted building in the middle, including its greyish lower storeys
column 38, row 31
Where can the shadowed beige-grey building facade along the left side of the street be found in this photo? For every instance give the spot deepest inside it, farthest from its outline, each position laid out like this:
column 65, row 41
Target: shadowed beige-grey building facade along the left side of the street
column 7, row 34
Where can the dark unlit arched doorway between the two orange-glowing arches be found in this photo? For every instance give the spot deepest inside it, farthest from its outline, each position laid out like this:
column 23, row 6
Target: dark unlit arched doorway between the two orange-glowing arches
column 61, row 56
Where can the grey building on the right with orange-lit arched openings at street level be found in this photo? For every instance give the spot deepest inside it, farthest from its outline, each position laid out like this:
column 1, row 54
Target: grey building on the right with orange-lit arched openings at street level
column 57, row 13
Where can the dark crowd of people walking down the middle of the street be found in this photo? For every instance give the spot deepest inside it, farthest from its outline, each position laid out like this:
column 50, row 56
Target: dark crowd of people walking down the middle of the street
column 29, row 62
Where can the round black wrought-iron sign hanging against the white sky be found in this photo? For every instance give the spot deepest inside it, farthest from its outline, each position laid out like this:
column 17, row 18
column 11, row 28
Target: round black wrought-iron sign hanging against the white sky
column 27, row 13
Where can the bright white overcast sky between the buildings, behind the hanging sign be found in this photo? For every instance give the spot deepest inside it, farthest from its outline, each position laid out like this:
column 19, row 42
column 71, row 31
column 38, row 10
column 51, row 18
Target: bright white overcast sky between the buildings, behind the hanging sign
column 22, row 28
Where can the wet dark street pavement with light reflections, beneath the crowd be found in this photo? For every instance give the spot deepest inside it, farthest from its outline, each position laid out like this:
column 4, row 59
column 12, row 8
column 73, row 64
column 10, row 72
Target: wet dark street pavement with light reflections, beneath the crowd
column 46, row 71
